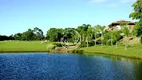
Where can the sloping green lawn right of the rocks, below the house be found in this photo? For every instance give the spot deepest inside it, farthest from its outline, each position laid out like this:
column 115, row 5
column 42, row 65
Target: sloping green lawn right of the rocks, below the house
column 132, row 51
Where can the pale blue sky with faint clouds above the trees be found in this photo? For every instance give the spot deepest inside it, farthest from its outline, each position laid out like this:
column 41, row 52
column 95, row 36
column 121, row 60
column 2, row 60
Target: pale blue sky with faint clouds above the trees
column 20, row 15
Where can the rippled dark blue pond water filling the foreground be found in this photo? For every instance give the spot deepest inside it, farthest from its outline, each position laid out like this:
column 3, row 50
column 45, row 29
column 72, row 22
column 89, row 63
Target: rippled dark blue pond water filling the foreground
column 44, row 66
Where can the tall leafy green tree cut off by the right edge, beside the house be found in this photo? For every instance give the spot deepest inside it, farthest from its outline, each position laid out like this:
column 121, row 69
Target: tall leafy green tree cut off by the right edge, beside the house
column 137, row 15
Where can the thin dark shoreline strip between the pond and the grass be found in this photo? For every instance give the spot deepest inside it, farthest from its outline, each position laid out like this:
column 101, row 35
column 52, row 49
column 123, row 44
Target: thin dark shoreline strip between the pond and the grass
column 84, row 53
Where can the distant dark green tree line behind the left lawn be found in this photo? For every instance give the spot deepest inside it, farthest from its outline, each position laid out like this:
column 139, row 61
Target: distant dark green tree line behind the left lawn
column 29, row 35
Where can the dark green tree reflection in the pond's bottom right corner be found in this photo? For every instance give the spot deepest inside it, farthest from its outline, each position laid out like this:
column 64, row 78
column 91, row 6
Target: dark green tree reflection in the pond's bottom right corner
column 138, row 70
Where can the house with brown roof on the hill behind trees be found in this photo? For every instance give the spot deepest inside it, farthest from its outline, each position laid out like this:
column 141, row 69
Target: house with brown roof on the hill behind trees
column 117, row 25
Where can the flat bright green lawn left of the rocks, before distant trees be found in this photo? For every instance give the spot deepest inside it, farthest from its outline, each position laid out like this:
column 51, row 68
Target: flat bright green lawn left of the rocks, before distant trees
column 24, row 46
